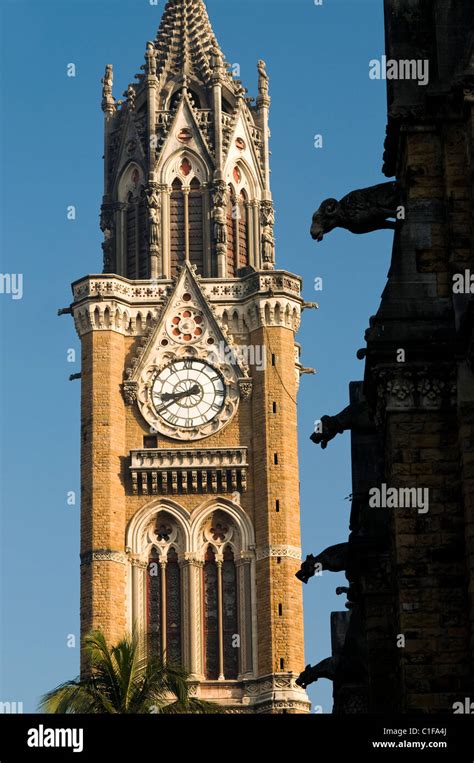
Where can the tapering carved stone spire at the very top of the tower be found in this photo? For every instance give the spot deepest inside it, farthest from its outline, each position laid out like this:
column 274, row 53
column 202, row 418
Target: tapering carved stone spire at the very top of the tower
column 186, row 42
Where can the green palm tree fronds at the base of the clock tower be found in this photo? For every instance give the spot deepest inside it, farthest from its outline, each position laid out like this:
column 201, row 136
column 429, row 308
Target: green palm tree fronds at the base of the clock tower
column 123, row 680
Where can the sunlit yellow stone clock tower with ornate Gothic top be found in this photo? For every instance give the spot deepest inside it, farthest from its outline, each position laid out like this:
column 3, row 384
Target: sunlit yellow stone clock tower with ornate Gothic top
column 189, row 469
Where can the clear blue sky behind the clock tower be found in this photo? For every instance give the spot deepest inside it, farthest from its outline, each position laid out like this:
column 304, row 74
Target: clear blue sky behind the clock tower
column 51, row 157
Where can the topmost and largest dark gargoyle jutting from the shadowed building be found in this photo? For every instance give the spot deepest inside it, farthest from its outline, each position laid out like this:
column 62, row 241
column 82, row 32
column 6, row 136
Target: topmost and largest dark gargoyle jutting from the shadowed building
column 361, row 211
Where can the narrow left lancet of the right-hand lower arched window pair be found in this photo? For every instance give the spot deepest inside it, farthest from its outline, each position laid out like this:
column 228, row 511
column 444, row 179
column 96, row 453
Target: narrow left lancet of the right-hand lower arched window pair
column 211, row 616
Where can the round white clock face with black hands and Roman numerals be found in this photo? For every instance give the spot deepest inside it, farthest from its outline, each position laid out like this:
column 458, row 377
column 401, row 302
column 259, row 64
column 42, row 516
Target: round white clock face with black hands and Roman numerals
column 188, row 393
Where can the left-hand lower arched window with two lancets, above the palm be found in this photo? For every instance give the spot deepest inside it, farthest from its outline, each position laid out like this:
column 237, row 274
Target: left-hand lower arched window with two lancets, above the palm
column 164, row 606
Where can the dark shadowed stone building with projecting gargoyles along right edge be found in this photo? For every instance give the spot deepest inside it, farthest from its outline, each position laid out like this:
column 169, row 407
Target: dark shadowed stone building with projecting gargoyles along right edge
column 408, row 640
